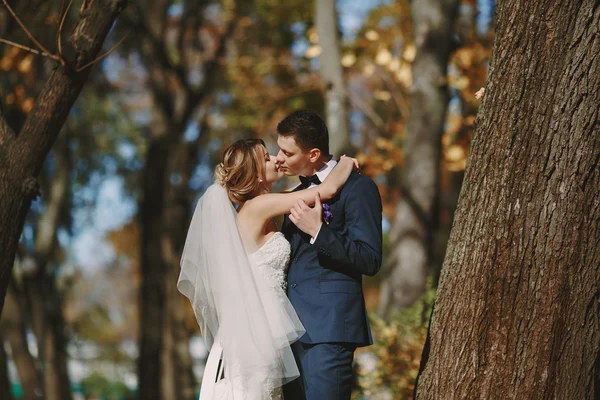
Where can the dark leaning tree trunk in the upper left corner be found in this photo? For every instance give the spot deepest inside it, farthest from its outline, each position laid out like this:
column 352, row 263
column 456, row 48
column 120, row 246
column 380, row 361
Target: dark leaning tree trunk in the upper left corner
column 22, row 155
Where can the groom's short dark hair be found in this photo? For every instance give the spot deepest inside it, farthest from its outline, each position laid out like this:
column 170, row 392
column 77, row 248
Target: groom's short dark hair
column 308, row 130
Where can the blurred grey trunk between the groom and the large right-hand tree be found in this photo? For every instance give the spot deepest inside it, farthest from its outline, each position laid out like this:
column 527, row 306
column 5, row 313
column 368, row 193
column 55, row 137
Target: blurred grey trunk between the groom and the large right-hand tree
column 411, row 237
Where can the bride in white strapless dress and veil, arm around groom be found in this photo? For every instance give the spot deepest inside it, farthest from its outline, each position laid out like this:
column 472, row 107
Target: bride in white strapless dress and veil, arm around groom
column 233, row 272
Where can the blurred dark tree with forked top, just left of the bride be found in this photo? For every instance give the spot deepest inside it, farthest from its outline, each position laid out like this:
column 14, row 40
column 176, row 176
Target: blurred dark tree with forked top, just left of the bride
column 182, row 53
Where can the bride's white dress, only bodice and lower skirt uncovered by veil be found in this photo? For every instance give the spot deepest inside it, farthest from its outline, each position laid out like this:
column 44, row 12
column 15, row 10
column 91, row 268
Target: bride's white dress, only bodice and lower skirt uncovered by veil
column 272, row 260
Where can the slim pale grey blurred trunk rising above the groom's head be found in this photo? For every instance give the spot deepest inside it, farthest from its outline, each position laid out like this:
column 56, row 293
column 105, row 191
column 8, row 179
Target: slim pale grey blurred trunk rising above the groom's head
column 331, row 71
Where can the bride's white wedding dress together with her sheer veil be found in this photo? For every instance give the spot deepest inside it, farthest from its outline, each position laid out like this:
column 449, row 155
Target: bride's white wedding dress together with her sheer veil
column 237, row 292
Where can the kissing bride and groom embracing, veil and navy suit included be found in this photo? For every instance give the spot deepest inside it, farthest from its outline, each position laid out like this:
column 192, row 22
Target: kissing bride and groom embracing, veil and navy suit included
column 283, row 310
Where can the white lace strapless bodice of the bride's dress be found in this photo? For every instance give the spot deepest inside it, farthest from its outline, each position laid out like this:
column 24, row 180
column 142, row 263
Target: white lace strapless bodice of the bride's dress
column 273, row 259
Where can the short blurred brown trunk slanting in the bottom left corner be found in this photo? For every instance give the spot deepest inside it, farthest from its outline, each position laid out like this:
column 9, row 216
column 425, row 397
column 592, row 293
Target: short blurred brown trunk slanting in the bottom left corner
column 12, row 327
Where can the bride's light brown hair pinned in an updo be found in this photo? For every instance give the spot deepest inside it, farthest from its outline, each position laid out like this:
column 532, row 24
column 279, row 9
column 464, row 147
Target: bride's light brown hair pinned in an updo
column 243, row 164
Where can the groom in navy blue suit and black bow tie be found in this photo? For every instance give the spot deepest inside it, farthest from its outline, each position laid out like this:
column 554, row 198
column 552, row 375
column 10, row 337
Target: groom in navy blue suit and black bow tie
column 329, row 257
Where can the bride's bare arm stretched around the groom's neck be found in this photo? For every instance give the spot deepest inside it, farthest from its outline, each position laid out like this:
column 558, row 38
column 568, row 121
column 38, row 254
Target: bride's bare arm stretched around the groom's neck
column 273, row 204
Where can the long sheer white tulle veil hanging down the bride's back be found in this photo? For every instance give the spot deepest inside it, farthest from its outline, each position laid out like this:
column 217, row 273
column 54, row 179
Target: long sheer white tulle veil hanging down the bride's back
column 233, row 304
